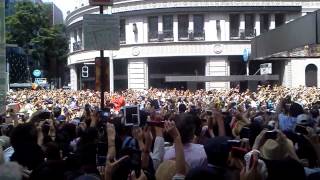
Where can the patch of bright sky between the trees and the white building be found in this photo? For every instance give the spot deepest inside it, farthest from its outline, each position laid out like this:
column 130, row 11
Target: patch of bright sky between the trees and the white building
column 66, row 5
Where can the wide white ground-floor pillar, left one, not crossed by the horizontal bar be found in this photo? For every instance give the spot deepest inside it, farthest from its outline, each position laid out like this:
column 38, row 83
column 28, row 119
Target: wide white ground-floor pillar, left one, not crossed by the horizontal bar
column 138, row 74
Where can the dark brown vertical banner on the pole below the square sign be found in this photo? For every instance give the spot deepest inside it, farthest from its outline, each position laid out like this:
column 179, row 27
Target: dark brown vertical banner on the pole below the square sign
column 102, row 67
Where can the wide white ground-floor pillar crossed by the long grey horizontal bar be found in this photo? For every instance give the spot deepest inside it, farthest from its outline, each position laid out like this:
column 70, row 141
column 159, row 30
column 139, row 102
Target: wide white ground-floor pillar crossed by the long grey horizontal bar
column 217, row 66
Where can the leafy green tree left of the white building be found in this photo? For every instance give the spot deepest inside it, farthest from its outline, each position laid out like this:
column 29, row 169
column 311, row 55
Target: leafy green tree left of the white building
column 29, row 27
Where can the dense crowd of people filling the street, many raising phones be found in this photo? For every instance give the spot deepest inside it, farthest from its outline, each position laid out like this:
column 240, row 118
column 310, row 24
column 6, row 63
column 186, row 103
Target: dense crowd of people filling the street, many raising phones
column 272, row 133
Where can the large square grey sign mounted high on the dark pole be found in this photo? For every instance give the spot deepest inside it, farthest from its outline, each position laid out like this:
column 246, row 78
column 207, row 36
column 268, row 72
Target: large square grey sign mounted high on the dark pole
column 101, row 32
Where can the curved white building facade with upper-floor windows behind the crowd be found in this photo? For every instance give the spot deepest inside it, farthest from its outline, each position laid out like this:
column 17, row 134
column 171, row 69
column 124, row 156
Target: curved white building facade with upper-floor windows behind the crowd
column 184, row 37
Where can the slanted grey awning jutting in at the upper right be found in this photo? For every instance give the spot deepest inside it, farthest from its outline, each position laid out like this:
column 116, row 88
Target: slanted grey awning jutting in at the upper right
column 298, row 38
